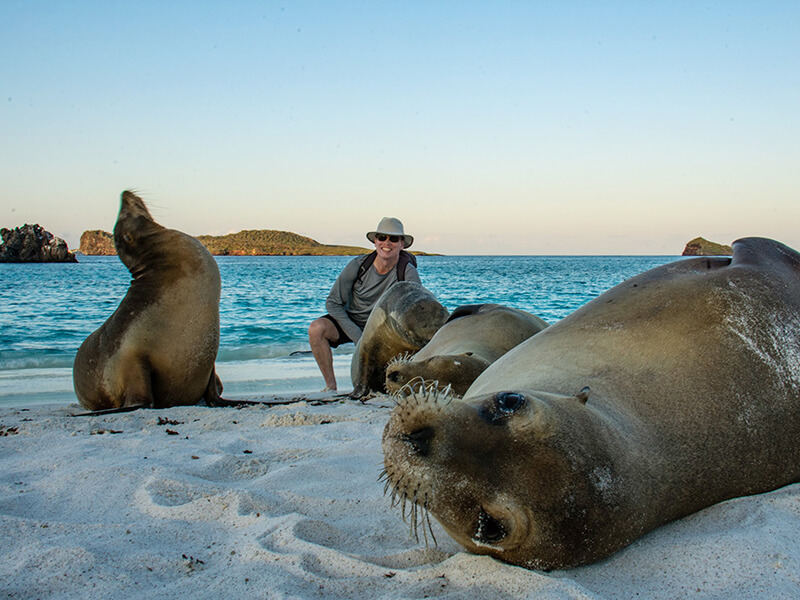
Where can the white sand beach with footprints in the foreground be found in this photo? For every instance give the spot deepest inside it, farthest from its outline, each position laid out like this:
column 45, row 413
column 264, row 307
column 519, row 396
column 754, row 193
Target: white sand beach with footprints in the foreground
column 284, row 502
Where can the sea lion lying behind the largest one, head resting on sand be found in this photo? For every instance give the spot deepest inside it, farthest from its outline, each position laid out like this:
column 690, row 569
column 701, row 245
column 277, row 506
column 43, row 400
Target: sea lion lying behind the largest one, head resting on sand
column 473, row 337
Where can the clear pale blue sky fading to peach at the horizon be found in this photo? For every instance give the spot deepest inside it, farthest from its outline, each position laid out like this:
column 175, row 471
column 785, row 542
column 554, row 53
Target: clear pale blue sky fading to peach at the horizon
column 487, row 127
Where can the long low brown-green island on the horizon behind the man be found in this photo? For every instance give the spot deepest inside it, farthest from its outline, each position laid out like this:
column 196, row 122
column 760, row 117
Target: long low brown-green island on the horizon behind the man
column 251, row 242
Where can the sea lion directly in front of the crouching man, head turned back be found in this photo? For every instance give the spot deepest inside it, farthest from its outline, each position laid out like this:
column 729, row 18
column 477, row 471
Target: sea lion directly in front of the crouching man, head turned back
column 403, row 320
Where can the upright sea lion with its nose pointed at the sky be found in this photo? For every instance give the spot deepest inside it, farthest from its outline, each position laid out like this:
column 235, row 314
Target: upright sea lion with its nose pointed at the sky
column 158, row 348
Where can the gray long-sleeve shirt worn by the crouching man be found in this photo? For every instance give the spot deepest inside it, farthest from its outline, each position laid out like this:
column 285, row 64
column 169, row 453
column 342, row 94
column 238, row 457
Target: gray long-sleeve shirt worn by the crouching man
column 351, row 304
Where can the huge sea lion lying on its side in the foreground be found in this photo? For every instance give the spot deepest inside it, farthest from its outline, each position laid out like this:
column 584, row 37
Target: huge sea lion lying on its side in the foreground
column 675, row 390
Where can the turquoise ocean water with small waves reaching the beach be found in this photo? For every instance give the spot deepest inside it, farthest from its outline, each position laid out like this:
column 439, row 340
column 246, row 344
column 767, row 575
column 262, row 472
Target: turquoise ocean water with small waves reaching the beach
column 47, row 310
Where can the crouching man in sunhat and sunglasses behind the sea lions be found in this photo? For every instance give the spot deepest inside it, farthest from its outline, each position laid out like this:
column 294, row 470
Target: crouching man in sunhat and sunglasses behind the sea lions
column 357, row 289
